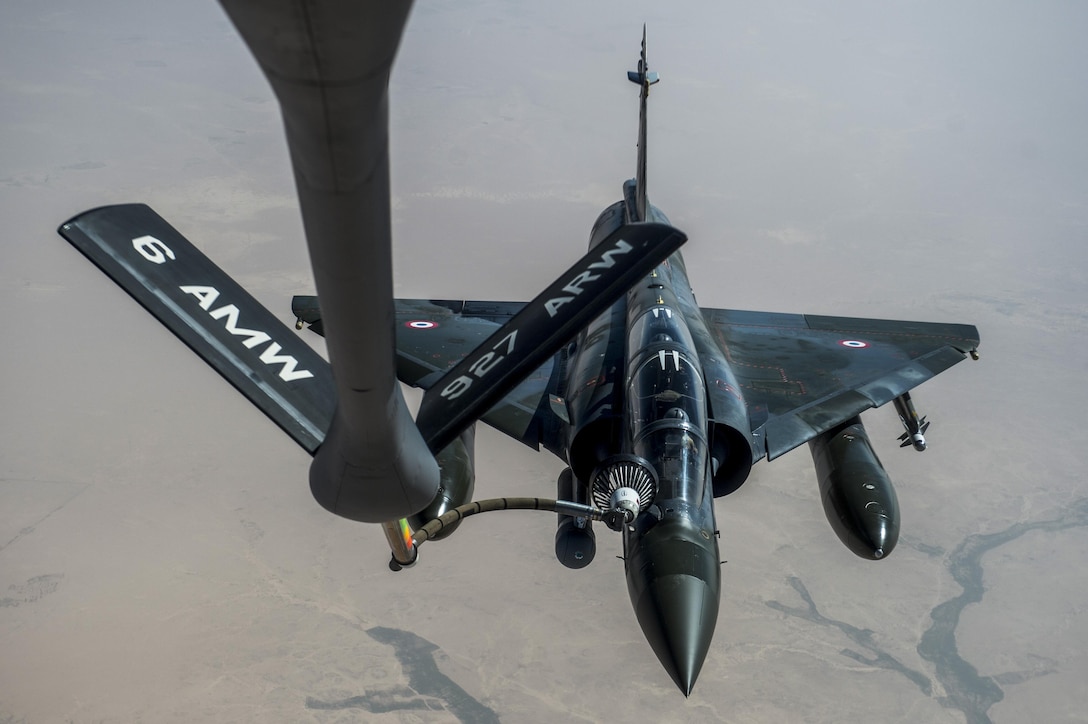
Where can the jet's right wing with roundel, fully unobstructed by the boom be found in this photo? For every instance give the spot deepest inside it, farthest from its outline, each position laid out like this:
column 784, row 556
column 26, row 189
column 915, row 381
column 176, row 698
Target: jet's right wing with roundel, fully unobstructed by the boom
column 802, row 375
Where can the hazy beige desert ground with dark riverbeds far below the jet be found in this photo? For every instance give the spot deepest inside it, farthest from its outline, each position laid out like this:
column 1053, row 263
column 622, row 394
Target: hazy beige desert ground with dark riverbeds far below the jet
column 162, row 557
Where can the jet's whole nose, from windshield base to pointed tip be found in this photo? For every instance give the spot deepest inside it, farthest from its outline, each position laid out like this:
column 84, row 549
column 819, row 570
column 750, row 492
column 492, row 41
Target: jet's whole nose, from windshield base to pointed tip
column 675, row 583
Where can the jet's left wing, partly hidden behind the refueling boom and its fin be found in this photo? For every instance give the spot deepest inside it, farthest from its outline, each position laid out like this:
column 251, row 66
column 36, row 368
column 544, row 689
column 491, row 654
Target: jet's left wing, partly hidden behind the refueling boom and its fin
column 436, row 335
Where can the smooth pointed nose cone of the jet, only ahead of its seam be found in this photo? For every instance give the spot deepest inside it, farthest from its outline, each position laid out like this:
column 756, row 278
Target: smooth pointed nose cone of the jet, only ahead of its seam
column 678, row 615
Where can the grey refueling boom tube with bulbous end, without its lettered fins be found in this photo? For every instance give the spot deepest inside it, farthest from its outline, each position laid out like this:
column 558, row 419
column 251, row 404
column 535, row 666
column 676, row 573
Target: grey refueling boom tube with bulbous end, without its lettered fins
column 329, row 65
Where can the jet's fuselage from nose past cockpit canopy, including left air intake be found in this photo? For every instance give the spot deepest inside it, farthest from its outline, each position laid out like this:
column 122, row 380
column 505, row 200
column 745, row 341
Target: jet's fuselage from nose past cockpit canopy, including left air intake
column 637, row 390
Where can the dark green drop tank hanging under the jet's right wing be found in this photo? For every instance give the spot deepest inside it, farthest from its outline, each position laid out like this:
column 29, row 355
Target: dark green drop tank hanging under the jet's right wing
column 858, row 496
